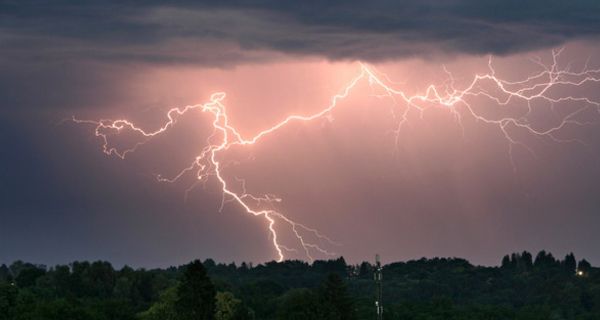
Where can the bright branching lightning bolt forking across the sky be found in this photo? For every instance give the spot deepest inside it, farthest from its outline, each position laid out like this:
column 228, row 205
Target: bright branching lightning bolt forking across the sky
column 209, row 162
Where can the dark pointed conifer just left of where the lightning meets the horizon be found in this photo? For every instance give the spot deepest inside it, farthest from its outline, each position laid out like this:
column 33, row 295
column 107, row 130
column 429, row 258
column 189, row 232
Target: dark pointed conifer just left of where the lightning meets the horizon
column 195, row 294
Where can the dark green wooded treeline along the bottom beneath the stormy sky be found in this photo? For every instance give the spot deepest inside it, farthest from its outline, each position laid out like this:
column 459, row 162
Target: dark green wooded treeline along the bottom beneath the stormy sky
column 523, row 287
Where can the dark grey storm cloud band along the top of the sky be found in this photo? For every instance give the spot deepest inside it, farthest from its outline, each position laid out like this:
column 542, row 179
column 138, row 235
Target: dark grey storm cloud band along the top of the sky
column 213, row 32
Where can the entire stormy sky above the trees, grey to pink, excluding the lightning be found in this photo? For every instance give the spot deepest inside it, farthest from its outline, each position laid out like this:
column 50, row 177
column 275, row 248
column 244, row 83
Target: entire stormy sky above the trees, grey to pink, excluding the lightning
column 441, row 186
